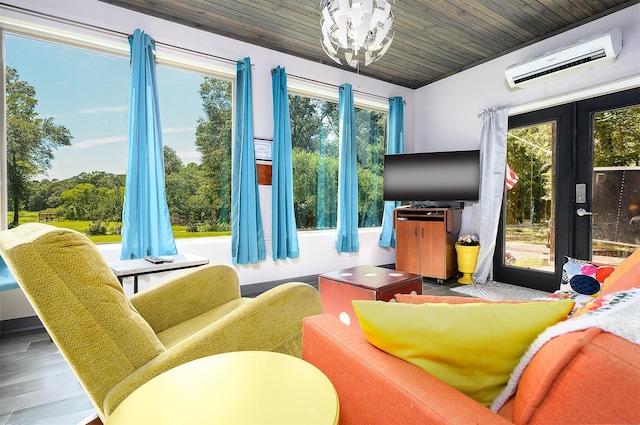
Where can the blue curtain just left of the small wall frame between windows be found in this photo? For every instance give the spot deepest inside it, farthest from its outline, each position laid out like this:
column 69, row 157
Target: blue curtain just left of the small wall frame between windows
column 247, row 239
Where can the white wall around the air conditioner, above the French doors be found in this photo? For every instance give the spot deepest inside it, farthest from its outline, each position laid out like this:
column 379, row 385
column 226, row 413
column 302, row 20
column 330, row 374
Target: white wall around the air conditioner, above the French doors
column 446, row 112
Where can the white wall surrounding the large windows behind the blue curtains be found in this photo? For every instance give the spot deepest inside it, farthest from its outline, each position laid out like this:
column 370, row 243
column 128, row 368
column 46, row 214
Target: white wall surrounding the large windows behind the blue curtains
column 317, row 249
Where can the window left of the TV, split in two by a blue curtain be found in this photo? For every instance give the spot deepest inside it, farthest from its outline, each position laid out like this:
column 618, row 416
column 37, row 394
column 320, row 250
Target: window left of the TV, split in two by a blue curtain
column 315, row 143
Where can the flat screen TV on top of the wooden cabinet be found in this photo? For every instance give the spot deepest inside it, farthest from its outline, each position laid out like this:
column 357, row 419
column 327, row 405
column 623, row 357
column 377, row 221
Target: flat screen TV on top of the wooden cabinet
column 433, row 179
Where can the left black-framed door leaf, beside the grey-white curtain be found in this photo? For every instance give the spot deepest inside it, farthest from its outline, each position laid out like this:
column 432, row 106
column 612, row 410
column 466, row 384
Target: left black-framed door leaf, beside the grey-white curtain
column 534, row 230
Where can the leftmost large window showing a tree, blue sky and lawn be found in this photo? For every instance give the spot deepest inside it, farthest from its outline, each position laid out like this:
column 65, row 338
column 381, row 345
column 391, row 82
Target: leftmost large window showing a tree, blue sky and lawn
column 66, row 134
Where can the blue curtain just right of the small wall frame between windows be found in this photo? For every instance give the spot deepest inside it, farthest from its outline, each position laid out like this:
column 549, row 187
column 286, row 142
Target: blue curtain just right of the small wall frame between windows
column 284, row 241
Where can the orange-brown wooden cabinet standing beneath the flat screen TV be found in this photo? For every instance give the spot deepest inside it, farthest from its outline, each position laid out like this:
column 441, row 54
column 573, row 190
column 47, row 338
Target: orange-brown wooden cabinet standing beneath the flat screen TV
column 425, row 240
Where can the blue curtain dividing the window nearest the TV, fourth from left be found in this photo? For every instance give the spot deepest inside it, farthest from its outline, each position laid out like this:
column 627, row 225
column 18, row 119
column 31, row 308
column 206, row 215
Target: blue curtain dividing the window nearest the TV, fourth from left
column 347, row 237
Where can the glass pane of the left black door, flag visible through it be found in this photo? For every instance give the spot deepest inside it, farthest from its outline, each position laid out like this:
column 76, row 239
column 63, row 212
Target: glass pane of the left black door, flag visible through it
column 530, row 202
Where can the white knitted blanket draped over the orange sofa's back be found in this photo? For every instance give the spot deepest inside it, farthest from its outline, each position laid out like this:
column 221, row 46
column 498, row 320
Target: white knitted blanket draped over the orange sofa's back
column 617, row 313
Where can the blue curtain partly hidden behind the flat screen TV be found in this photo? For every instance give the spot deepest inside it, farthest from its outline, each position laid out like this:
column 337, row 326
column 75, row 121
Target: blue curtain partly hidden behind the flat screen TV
column 395, row 144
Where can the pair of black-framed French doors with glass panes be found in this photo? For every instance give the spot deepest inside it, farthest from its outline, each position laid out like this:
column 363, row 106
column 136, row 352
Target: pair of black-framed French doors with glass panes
column 573, row 189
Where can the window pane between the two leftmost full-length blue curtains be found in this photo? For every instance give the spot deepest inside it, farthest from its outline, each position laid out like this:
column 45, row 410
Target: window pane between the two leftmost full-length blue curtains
column 196, row 121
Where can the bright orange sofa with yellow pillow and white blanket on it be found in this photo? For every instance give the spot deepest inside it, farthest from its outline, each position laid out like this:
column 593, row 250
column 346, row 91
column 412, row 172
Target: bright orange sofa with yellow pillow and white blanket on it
column 587, row 376
